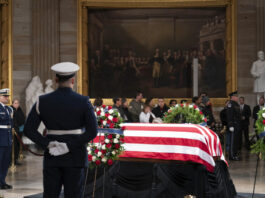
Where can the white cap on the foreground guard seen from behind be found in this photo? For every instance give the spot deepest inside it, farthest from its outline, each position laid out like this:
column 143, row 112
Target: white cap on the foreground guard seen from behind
column 65, row 69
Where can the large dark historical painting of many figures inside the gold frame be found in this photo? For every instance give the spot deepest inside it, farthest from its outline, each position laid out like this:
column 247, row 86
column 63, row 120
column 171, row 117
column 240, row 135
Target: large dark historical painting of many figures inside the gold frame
column 153, row 50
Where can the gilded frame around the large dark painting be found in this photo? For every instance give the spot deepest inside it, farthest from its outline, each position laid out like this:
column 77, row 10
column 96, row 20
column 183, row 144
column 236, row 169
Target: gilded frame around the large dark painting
column 231, row 35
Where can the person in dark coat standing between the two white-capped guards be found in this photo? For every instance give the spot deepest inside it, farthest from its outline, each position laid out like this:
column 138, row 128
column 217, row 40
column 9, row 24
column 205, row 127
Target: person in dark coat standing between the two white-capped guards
column 18, row 120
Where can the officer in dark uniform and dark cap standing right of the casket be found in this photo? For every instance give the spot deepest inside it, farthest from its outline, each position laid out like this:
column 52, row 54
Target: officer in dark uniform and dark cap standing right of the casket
column 233, row 124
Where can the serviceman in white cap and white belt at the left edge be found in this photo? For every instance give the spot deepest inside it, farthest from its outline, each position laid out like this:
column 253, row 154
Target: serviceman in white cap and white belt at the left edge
column 6, row 115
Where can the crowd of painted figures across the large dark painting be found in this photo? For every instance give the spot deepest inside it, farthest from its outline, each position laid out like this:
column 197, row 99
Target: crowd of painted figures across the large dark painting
column 167, row 68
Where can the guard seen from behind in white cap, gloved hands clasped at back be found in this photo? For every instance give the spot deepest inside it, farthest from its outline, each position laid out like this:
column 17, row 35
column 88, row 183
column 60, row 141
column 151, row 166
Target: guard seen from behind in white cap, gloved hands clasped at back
column 65, row 115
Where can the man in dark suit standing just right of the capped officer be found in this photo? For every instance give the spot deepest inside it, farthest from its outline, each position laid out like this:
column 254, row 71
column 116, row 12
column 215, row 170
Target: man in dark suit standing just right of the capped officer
column 244, row 124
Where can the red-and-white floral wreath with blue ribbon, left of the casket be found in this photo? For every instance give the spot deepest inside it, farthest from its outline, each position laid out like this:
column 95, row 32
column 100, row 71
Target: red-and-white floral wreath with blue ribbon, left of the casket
column 109, row 146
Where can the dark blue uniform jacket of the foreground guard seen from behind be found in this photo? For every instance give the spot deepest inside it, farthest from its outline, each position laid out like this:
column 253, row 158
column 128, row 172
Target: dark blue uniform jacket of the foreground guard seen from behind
column 63, row 109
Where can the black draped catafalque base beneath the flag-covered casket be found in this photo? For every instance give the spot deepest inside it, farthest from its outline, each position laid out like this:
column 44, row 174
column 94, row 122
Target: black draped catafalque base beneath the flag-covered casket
column 153, row 180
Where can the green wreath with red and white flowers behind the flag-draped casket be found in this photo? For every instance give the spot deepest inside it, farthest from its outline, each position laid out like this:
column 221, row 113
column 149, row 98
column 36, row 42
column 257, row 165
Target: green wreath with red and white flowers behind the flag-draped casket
column 185, row 113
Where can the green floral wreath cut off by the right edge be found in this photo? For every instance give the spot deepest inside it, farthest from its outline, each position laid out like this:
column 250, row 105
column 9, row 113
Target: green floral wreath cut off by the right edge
column 259, row 146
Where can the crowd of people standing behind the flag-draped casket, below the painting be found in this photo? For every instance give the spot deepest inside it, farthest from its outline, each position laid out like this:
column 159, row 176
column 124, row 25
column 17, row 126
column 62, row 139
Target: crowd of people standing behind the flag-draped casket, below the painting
column 235, row 116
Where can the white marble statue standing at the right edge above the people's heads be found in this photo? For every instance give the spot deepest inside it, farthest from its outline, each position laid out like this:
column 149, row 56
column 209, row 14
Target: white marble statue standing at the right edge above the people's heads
column 258, row 72
